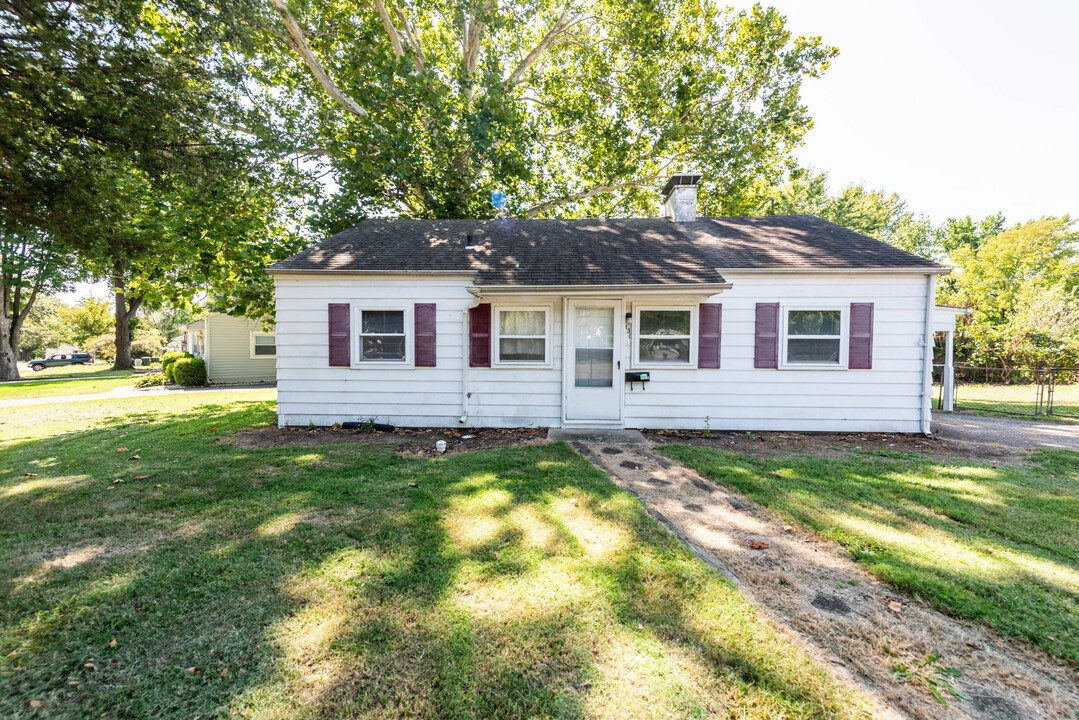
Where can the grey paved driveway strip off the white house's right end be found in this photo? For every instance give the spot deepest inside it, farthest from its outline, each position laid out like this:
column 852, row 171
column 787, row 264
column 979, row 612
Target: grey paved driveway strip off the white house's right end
column 1010, row 433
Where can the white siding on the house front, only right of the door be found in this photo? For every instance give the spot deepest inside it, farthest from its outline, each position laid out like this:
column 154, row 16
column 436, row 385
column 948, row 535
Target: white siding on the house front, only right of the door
column 739, row 397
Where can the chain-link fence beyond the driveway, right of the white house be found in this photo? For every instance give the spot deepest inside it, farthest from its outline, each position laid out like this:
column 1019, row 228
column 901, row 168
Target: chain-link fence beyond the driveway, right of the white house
column 1013, row 391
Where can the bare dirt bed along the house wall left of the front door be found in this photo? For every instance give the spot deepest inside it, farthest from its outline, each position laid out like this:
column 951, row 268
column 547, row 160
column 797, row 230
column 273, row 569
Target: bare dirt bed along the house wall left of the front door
column 412, row 442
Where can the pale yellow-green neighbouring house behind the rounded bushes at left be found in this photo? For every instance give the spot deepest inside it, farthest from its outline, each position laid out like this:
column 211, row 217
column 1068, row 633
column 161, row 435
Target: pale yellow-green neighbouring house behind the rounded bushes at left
column 236, row 349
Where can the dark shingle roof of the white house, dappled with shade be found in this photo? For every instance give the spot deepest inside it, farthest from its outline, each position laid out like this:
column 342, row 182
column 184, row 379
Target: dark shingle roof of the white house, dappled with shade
column 611, row 252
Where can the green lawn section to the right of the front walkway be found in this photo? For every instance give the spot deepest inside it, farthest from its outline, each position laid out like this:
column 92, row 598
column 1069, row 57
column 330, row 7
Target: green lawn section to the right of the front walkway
column 994, row 544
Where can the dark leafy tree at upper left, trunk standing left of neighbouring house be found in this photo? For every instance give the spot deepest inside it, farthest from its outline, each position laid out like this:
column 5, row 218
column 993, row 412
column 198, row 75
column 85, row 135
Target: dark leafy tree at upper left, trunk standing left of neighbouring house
column 129, row 115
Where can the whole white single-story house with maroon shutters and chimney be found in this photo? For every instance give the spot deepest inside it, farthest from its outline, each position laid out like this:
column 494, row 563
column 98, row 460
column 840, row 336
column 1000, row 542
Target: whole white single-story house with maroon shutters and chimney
column 783, row 323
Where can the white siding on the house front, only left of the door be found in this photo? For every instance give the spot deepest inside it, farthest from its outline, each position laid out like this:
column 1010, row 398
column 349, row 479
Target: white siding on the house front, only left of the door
column 310, row 391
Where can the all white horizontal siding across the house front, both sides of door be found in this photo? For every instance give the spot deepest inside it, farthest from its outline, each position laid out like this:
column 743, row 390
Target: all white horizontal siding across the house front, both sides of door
column 736, row 397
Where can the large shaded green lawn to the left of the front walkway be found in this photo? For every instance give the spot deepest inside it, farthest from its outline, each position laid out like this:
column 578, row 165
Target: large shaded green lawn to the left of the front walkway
column 351, row 581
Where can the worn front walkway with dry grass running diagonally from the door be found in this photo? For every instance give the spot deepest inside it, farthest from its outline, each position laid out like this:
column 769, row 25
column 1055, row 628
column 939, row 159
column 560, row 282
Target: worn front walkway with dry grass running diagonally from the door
column 844, row 617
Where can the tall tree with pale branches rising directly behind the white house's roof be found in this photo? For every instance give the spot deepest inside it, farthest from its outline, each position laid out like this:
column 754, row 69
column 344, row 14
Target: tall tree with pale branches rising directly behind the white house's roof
column 572, row 108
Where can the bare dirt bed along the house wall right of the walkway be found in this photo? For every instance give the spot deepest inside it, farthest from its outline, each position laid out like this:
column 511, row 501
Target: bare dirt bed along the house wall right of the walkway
column 838, row 445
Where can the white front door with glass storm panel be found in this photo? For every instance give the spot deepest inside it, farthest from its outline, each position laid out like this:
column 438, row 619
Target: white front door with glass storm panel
column 593, row 362
